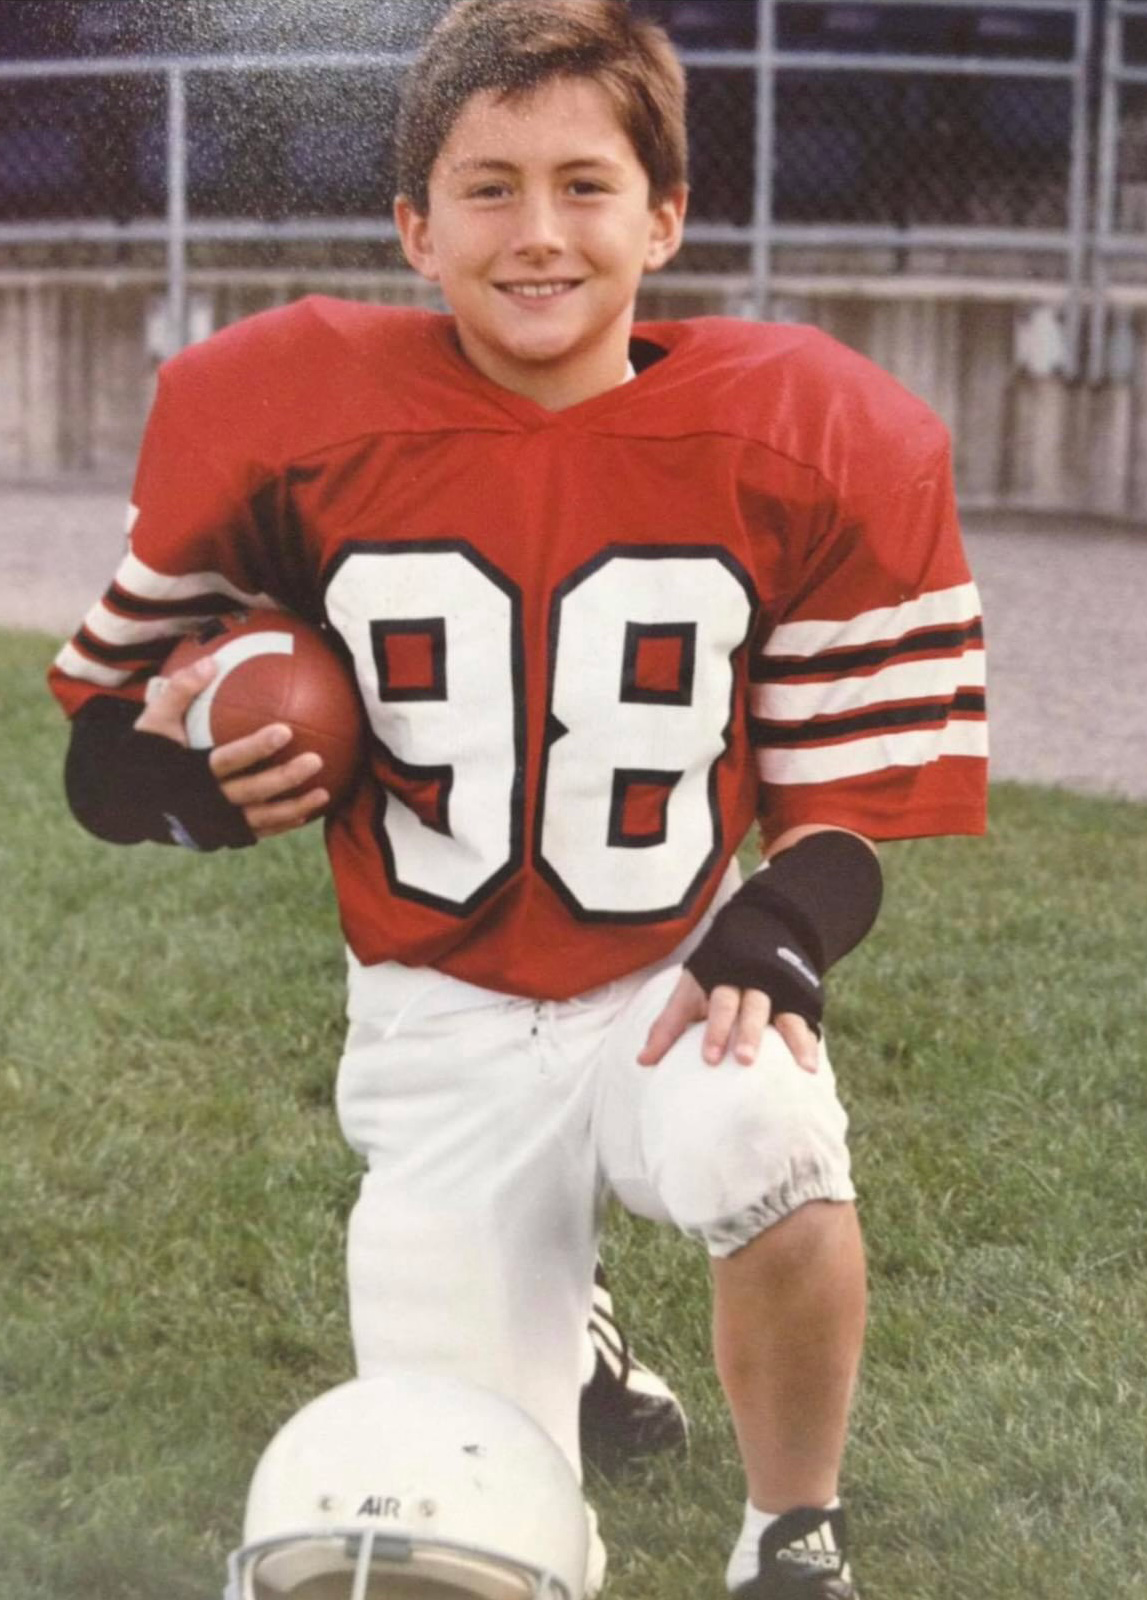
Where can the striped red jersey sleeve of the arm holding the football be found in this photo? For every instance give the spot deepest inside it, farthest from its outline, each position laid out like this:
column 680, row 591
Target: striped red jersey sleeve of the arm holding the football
column 198, row 546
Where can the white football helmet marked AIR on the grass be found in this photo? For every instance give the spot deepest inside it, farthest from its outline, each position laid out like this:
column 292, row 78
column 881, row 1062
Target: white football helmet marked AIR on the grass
column 412, row 1487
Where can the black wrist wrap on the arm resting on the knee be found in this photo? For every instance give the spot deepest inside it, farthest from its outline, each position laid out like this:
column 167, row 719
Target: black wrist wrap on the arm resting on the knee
column 788, row 926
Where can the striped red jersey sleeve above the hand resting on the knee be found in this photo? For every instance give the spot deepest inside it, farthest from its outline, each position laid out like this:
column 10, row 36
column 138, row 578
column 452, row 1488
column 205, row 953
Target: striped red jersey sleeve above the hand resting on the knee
column 868, row 689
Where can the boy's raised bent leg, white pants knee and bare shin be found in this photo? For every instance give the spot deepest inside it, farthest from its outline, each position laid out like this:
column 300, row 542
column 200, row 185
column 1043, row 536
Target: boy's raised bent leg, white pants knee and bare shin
column 754, row 1162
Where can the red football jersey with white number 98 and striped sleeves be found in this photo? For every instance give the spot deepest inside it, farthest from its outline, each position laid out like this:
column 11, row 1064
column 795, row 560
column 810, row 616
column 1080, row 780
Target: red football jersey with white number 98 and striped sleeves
column 593, row 644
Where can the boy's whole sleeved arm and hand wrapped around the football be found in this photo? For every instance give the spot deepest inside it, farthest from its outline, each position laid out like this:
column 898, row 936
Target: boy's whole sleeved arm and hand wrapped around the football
column 204, row 540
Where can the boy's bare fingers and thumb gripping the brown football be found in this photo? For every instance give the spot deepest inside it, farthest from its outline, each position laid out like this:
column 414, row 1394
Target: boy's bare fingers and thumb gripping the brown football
column 265, row 798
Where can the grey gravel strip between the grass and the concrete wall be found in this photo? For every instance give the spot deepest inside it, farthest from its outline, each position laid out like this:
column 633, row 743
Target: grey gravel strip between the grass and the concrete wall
column 1066, row 615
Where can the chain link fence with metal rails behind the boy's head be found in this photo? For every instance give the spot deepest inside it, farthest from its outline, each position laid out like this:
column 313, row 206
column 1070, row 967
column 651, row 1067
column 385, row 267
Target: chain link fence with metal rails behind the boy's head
column 826, row 135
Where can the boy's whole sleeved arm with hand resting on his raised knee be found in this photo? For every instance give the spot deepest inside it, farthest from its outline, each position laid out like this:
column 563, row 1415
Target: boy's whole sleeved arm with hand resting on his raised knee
column 866, row 708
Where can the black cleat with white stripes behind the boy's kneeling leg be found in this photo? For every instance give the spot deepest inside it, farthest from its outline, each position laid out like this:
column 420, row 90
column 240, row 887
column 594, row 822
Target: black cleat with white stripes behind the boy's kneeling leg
column 628, row 1412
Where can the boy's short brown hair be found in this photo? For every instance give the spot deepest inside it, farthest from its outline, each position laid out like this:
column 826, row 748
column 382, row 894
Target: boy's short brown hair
column 511, row 47
